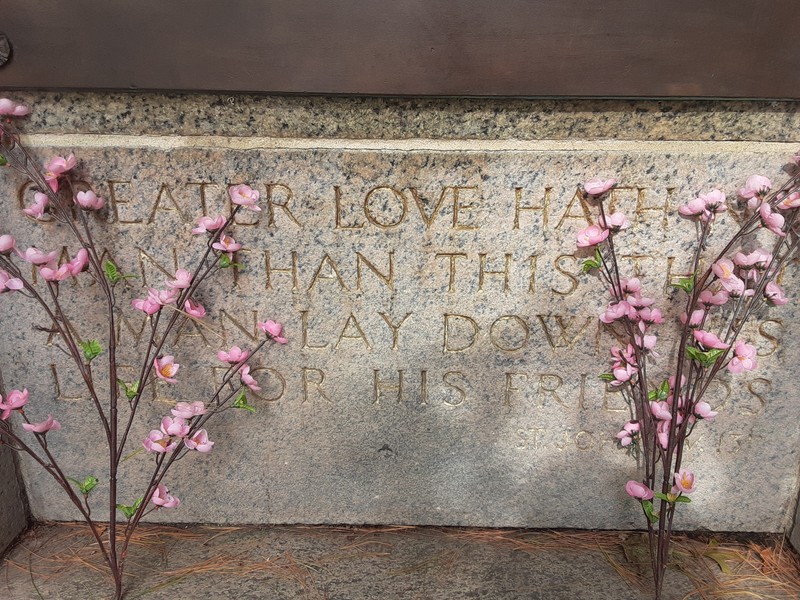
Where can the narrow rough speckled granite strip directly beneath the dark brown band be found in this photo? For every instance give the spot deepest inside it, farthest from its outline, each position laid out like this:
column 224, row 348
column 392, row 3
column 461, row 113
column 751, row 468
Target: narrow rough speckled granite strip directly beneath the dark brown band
column 381, row 118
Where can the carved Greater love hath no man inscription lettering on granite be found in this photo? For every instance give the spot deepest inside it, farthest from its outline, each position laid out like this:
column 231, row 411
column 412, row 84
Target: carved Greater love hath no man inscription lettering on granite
column 453, row 296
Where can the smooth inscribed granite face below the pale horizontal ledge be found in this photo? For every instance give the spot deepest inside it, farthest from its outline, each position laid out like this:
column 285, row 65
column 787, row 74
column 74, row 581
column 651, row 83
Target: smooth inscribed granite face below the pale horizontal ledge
column 500, row 421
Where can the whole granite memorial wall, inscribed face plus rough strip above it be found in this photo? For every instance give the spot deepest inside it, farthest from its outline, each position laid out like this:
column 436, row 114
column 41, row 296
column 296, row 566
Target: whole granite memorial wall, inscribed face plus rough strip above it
column 443, row 346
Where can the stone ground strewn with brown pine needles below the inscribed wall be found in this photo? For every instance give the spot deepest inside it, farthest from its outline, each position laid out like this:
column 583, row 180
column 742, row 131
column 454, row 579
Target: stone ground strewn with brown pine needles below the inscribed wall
column 59, row 561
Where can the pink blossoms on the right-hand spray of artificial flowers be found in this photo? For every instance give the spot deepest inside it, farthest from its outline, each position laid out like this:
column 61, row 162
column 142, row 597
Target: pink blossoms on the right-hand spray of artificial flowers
column 734, row 278
